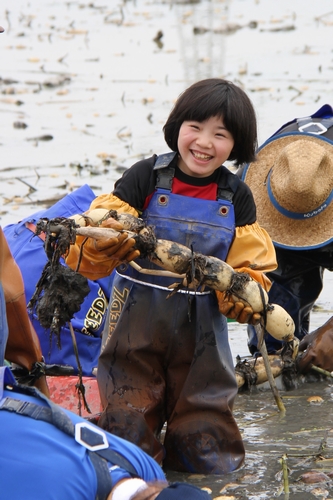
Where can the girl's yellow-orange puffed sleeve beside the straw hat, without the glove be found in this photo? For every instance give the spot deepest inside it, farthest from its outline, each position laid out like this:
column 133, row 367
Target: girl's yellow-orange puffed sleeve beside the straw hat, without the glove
column 252, row 252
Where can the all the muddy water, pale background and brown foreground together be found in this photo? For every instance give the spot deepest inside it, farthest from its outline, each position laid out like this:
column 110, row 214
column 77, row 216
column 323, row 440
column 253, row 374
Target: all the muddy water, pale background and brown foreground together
column 85, row 88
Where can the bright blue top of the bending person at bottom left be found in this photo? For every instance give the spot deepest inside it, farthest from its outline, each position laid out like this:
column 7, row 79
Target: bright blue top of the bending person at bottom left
column 38, row 460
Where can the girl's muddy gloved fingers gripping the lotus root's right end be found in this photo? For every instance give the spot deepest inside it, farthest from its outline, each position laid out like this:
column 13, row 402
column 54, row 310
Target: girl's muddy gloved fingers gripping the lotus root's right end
column 232, row 308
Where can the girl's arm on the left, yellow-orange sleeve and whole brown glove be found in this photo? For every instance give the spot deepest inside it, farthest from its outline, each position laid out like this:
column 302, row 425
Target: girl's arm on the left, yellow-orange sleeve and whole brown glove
column 98, row 259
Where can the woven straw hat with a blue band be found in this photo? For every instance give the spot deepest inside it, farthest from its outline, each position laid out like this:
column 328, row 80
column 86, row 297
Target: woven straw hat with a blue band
column 292, row 184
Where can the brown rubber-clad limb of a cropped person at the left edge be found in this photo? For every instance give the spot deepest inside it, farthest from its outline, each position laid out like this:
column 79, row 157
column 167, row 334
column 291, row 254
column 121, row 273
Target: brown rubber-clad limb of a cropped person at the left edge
column 23, row 347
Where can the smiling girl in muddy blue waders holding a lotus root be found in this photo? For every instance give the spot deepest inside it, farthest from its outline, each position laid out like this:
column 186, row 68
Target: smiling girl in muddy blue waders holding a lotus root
column 168, row 359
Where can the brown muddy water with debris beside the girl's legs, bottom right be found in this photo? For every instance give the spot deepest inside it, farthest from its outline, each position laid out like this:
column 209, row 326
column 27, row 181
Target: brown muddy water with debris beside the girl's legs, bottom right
column 304, row 436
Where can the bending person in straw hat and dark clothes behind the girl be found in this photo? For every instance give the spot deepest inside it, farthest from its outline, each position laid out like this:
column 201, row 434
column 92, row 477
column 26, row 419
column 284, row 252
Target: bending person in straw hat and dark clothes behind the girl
column 292, row 184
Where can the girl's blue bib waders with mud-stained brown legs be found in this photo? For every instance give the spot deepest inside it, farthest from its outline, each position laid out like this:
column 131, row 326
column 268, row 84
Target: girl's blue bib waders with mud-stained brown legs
column 167, row 359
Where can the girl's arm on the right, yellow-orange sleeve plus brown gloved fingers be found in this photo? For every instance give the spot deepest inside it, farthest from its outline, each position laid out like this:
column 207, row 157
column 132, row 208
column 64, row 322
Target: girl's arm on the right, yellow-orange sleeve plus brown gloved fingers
column 252, row 252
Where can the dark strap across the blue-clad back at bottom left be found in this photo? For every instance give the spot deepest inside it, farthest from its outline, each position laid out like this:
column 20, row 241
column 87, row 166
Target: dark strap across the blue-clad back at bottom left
column 54, row 415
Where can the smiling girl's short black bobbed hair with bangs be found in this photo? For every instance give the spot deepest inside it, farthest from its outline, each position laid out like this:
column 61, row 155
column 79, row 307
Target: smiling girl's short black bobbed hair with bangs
column 216, row 97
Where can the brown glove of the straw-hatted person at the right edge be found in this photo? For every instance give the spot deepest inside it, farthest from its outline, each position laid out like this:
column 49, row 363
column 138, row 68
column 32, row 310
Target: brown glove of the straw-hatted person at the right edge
column 318, row 348
